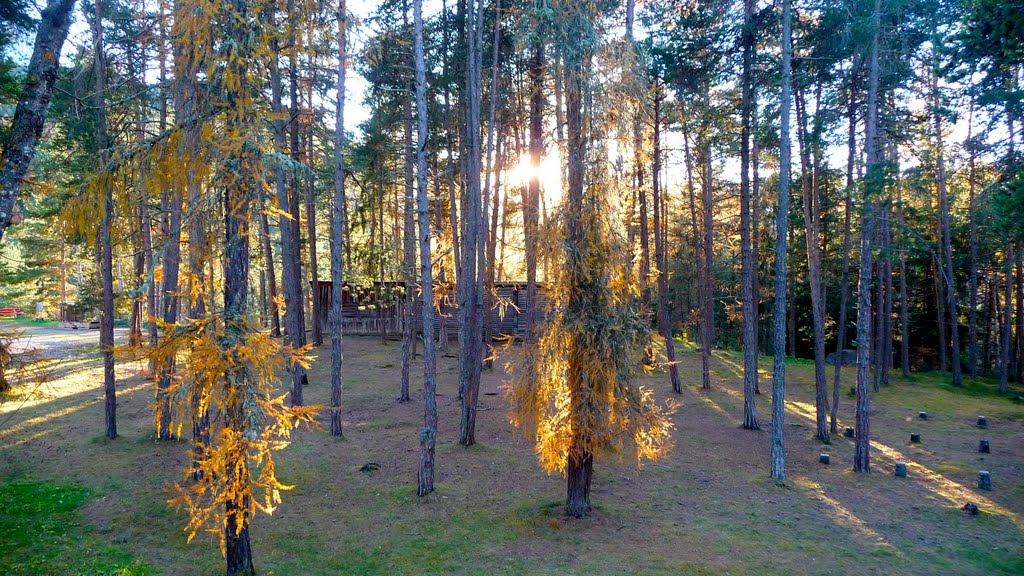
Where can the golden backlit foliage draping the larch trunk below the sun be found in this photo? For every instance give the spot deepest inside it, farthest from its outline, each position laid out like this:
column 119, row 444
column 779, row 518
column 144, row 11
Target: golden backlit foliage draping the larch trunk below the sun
column 574, row 388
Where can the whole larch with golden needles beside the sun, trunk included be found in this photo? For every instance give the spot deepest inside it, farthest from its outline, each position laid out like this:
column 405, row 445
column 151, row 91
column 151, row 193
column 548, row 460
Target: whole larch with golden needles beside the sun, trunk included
column 574, row 390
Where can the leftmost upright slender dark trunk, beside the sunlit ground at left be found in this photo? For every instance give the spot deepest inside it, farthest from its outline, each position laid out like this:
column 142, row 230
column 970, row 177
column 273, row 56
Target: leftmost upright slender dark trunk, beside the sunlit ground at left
column 106, row 256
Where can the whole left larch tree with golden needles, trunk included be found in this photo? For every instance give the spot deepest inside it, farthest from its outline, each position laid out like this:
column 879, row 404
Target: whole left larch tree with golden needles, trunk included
column 228, row 366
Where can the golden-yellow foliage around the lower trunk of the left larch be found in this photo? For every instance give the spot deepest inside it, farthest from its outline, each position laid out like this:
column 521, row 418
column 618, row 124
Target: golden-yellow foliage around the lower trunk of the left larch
column 233, row 379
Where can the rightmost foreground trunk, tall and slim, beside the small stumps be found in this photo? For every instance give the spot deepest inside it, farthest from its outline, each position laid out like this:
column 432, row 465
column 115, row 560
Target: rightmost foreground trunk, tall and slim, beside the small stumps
column 862, row 460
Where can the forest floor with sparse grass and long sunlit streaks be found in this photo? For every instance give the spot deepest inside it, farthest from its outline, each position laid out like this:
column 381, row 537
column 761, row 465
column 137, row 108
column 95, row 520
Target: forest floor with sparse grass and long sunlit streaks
column 73, row 503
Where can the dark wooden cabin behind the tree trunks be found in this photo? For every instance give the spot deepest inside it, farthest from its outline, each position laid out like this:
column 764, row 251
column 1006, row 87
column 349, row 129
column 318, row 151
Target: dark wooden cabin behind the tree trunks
column 379, row 309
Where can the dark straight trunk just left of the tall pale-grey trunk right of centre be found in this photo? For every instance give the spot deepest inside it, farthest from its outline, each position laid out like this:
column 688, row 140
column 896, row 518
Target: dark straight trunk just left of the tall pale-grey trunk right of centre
column 750, row 324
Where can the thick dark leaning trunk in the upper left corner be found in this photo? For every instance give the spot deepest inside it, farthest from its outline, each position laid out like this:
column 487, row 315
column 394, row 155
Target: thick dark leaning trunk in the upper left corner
column 19, row 145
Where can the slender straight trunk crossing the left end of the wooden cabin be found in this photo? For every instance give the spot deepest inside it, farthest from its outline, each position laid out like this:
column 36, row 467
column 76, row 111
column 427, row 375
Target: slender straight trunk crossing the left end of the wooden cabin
column 338, row 224
